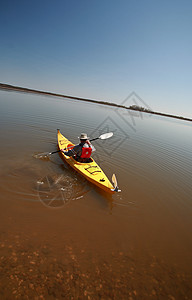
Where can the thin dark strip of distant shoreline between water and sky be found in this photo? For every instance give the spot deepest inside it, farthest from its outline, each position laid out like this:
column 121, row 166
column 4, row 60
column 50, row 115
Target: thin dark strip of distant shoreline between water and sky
column 27, row 90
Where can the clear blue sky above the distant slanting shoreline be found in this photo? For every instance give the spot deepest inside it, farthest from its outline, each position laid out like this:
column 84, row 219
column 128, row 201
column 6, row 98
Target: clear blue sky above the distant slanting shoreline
column 102, row 49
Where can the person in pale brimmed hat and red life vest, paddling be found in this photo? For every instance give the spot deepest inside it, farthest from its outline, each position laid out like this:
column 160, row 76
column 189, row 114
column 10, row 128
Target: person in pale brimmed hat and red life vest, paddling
column 81, row 152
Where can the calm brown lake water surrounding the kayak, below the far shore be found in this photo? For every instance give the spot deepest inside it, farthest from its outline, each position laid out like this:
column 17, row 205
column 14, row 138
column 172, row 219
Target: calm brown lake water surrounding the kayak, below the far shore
column 62, row 238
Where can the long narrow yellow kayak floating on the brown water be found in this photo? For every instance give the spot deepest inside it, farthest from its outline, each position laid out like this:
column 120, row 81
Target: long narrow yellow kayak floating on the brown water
column 91, row 171
